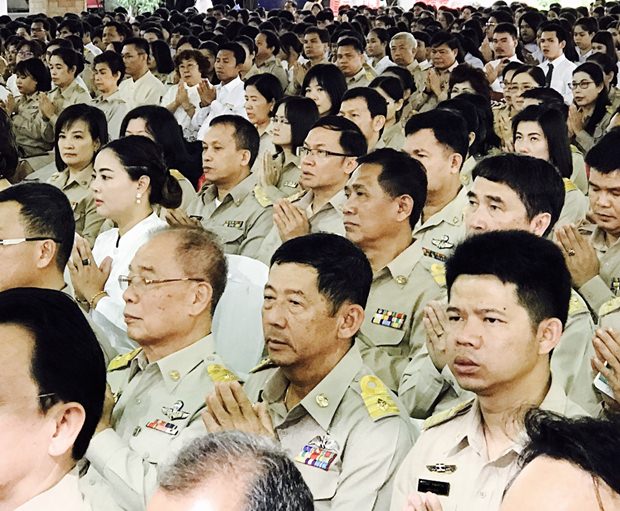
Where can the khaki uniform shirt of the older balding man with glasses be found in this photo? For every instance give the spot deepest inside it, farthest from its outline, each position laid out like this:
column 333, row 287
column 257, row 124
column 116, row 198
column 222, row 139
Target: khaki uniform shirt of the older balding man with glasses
column 157, row 412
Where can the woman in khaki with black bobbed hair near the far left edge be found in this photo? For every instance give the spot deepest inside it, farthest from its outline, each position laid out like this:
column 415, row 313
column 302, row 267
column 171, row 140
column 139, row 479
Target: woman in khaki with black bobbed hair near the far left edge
column 34, row 136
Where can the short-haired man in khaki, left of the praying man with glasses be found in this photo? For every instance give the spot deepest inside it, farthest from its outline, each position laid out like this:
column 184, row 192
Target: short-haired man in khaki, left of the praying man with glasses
column 227, row 206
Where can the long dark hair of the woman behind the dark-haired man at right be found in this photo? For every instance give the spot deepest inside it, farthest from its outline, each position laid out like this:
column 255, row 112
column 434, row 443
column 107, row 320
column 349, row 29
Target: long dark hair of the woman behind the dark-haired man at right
column 553, row 125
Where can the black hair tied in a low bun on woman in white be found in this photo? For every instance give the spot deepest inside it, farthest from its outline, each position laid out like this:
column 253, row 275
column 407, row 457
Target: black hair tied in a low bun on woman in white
column 140, row 156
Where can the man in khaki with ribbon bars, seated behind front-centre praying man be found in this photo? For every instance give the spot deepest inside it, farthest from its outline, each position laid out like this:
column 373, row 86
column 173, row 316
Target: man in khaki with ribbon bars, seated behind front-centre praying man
column 386, row 194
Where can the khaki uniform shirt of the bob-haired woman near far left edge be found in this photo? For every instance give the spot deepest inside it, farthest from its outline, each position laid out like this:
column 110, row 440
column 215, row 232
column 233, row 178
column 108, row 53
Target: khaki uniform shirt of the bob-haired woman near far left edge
column 33, row 134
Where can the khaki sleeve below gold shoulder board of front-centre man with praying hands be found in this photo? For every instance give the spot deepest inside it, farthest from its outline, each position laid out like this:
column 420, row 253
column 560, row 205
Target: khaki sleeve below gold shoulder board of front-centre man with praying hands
column 368, row 473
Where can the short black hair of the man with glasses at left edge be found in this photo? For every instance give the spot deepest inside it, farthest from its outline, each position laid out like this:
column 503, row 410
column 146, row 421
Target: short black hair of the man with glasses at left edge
column 44, row 211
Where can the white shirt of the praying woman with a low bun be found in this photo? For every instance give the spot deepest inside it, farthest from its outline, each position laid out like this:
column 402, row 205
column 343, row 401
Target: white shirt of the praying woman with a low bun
column 121, row 250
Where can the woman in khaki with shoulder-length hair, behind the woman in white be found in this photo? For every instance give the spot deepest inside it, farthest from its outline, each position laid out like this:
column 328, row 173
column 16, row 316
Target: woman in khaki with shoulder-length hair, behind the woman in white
column 80, row 131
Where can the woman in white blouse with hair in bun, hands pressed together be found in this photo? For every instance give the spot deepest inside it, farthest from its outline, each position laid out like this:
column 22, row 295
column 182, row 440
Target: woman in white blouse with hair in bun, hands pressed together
column 130, row 178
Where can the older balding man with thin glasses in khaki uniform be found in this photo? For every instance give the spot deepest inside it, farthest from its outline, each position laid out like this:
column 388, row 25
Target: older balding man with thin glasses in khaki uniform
column 153, row 409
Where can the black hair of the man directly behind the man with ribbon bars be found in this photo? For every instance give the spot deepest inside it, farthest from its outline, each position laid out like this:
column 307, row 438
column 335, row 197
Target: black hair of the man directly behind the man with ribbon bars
column 449, row 128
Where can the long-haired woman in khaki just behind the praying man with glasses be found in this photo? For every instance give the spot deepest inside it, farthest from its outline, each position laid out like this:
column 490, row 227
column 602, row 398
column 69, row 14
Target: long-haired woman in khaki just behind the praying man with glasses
column 279, row 175
